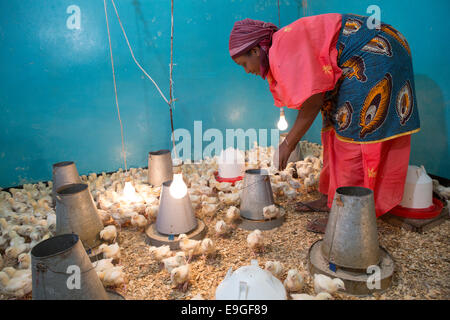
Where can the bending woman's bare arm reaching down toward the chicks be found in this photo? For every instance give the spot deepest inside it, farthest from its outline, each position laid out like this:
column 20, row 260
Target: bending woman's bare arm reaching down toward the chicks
column 305, row 118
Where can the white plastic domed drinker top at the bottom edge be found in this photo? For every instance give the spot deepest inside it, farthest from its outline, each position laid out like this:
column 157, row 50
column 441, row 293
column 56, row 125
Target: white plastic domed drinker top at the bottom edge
column 250, row 283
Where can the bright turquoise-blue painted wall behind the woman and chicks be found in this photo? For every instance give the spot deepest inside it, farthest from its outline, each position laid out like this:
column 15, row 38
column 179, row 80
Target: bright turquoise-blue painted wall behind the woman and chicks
column 57, row 97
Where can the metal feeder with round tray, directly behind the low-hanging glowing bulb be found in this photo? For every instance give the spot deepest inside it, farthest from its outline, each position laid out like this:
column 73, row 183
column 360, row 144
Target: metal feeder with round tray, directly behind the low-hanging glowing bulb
column 175, row 216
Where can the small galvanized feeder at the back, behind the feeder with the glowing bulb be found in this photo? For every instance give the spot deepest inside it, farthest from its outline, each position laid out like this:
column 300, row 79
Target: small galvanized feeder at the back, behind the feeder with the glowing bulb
column 159, row 167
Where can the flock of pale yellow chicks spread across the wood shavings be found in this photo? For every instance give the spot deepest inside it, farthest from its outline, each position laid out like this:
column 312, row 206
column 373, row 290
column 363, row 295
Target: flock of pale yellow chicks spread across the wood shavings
column 27, row 217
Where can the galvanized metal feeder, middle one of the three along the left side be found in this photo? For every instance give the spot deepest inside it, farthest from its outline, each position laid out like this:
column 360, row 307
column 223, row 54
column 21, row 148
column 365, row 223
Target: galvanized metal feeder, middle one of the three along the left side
column 76, row 213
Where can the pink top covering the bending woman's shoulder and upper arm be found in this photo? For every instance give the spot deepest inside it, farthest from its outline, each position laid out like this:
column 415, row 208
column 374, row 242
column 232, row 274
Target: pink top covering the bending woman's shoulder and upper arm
column 303, row 59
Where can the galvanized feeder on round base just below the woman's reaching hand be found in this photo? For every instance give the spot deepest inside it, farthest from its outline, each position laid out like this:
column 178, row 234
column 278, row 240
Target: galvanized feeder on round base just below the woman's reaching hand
column 257, row 194
